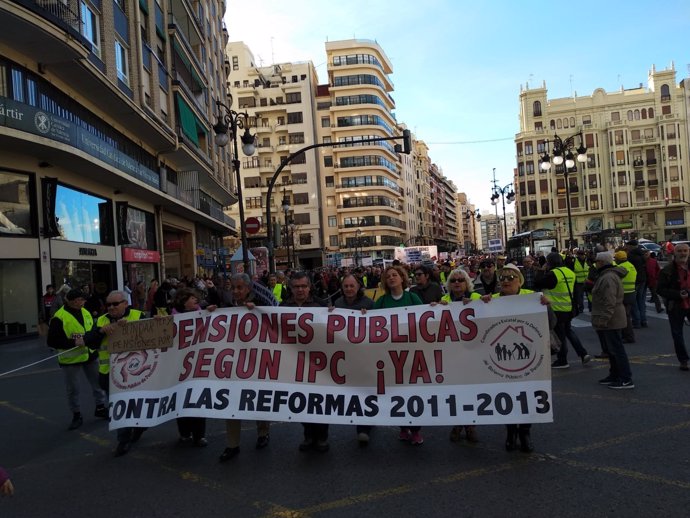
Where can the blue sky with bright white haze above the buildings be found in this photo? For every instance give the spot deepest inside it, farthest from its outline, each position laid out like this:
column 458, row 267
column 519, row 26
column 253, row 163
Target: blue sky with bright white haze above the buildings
column 458, row 65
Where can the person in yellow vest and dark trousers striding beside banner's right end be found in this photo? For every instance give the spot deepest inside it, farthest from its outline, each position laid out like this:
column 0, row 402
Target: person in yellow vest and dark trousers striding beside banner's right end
column 557, row 283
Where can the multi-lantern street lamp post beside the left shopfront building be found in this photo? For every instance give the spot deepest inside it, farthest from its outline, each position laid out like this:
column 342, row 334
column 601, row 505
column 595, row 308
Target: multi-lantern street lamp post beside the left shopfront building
column 232, row 121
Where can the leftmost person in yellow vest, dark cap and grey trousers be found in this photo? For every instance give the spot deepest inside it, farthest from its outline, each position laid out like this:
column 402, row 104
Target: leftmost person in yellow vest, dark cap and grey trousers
column 66, row 333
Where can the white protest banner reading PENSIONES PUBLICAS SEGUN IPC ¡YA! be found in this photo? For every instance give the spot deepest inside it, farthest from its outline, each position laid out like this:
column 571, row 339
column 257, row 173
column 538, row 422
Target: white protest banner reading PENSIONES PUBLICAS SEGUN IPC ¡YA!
column 480, row 363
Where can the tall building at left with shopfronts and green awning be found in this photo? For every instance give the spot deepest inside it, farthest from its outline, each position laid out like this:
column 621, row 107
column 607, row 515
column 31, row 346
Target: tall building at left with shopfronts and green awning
column 108, row 167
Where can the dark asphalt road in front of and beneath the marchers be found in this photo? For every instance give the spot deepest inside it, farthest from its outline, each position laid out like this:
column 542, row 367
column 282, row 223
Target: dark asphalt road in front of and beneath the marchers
column 608, row 453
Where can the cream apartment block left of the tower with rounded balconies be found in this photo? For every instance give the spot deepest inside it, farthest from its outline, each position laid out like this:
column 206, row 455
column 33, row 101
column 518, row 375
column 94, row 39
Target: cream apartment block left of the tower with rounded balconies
column 281, row 102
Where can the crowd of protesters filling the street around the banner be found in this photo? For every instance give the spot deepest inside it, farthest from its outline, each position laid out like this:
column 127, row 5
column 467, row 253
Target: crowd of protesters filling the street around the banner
column 610, row 285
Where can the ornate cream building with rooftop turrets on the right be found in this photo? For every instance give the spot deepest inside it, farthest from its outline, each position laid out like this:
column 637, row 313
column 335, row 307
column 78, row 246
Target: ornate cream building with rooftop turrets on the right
column 634, row 181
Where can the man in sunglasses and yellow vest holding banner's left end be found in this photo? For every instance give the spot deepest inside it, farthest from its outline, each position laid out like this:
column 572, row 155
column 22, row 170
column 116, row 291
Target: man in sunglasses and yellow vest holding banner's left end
column 118, row 313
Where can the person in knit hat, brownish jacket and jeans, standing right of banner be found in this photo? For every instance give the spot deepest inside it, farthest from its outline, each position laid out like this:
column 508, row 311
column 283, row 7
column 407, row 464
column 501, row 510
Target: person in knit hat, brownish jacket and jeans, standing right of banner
column 608, row 318
